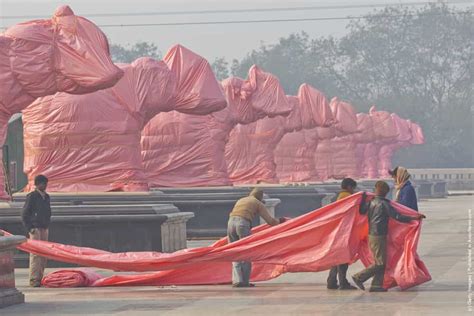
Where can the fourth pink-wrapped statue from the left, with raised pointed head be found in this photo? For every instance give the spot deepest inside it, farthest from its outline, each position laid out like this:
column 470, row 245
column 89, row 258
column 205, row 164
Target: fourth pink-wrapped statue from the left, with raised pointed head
column 250, row 150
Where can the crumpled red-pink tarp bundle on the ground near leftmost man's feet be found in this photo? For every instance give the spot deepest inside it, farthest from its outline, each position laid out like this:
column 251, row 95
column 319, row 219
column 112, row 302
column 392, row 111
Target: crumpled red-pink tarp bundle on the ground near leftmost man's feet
column 71, row 278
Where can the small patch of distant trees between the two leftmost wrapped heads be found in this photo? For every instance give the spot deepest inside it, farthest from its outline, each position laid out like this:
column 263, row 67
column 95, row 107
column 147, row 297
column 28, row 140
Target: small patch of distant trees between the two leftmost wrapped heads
column 128, row 53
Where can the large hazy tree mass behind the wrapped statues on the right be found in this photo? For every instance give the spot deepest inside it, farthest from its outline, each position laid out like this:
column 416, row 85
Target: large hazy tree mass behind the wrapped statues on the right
column 415, row 62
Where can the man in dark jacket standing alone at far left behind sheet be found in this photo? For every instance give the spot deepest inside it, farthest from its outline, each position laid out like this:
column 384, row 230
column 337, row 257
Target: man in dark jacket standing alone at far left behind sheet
column 36, row 217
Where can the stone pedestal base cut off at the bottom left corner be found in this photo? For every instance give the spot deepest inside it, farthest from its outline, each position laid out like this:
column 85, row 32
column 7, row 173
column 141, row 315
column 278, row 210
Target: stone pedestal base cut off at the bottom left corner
column 9, row 295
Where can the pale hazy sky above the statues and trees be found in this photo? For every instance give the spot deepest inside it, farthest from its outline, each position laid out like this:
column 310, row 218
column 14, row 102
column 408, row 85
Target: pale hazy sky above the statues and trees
column 211, row 41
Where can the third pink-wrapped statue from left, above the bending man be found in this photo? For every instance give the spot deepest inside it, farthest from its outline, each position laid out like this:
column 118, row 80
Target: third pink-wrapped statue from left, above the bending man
column 187, row 150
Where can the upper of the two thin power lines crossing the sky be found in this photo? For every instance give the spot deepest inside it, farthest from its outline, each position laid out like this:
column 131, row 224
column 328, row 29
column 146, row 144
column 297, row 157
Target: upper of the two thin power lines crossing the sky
column 284, row 9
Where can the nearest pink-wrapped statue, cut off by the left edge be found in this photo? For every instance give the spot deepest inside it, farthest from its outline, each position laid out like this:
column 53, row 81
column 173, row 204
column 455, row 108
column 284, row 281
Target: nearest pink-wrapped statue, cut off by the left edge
column 38, row 58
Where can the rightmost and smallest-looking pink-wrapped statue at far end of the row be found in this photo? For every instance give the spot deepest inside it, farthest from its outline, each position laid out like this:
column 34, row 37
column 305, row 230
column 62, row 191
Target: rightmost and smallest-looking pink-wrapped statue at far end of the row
column 408, row 134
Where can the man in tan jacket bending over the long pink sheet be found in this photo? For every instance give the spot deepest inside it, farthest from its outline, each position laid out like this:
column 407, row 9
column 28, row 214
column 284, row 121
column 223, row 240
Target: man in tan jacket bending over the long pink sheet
column 240, row 225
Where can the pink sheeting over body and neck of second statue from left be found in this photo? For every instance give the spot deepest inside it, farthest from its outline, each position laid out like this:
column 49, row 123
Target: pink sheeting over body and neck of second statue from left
column 92, row 142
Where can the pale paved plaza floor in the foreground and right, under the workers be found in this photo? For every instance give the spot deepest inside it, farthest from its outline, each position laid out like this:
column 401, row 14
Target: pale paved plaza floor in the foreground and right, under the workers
column 444, row 246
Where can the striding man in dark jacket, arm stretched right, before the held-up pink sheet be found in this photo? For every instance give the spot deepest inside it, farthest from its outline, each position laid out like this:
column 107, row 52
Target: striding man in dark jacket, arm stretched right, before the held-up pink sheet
column 378, row 212
